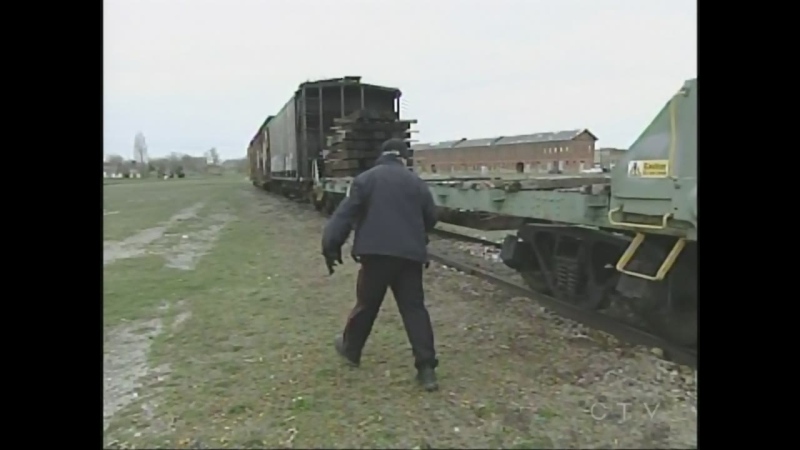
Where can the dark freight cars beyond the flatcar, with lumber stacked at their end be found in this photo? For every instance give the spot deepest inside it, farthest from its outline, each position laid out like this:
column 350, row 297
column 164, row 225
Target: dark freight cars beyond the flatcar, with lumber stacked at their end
column 329, row 127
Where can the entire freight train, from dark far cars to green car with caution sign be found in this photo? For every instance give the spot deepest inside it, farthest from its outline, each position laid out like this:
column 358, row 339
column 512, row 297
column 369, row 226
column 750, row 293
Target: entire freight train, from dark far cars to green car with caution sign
column 593, row 240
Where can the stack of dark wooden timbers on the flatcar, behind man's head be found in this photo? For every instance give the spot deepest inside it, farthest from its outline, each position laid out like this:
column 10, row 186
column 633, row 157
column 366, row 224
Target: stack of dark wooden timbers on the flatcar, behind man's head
column 355, row 141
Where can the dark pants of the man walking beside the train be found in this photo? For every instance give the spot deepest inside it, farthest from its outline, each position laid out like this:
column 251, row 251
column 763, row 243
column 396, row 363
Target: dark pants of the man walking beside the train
column 404, row 278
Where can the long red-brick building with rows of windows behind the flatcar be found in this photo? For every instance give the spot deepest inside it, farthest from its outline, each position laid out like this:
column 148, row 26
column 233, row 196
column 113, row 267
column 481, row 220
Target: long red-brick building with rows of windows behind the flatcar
column 568, row 151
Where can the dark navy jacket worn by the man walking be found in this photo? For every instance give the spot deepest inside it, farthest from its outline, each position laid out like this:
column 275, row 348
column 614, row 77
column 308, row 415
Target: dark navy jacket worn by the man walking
column 391, row 209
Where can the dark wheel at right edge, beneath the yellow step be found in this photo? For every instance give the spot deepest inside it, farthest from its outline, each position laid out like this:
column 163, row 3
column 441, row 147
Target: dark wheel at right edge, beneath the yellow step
column 673, row 307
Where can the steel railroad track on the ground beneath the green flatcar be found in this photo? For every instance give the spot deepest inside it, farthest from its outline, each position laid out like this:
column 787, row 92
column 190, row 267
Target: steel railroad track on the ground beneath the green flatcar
column 598, row 321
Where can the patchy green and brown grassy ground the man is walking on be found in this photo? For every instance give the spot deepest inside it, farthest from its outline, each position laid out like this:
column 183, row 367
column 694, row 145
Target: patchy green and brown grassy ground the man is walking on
column 219, row 318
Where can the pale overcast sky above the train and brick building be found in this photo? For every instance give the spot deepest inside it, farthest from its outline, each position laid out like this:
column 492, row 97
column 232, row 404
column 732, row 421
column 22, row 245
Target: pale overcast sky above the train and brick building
column 196, row 74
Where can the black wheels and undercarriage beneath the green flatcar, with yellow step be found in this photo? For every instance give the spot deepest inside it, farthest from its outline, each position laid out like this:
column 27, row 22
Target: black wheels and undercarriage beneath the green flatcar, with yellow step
column 655, row 277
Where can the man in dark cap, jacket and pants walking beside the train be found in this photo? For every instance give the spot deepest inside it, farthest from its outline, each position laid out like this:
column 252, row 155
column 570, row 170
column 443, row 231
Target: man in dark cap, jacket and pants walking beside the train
column 392, row 211
